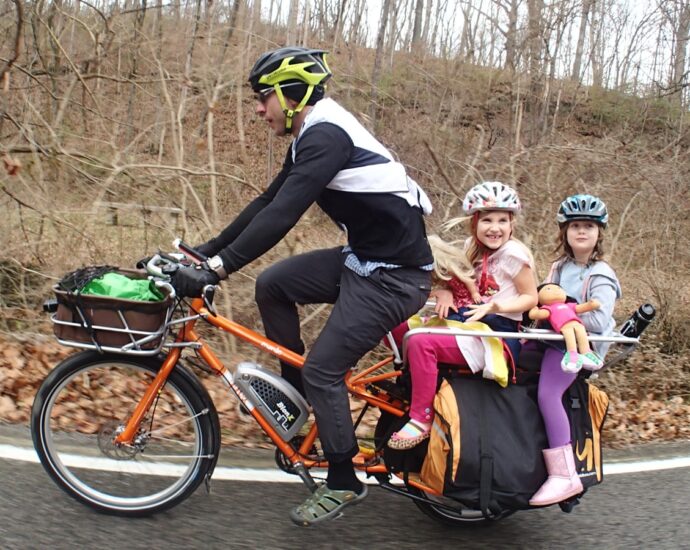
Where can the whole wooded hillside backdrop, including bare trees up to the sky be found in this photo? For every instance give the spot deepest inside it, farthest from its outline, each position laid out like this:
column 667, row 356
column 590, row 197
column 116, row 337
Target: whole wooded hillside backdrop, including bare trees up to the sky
column 126, row 123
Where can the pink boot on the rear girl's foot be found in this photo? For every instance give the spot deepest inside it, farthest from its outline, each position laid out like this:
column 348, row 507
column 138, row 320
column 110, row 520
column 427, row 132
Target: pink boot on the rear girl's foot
column 563, row 481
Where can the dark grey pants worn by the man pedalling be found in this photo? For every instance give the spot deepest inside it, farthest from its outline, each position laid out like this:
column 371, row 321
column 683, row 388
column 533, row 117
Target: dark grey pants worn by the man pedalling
column 365, row 309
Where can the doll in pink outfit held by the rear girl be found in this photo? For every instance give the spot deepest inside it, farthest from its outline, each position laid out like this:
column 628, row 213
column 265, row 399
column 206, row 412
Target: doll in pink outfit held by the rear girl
column 554, row 307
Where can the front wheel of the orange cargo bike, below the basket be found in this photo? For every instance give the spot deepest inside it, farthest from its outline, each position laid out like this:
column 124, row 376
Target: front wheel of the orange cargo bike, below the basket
column 86, row 401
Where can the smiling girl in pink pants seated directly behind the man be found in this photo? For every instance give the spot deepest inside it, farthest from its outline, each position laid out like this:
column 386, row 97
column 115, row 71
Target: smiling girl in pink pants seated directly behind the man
column 504, row 273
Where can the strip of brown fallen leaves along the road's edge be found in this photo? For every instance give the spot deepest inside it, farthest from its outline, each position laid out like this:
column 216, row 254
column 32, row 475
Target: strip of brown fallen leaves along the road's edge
column 24, row 363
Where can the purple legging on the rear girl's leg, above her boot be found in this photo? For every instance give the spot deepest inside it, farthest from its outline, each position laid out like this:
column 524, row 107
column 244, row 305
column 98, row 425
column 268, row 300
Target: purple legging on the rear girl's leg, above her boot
column 552, row 384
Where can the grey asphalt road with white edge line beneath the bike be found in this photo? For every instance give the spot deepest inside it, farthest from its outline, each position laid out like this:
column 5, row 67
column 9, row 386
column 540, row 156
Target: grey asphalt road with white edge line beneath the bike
column 643, row 510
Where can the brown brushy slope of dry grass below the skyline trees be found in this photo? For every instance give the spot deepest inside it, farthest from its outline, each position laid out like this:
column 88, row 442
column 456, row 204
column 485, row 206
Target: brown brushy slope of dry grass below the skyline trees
column 148, row 141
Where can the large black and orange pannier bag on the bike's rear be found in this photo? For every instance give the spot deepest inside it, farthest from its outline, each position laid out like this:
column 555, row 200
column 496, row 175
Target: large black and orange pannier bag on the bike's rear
column 486, row 442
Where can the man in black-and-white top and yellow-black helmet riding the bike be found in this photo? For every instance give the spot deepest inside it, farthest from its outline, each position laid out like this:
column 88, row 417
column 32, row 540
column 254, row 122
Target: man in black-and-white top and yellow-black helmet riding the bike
column 377, row 281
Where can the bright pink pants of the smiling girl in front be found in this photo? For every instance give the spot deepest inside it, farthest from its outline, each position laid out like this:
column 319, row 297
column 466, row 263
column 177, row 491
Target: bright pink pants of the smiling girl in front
column 424, row 353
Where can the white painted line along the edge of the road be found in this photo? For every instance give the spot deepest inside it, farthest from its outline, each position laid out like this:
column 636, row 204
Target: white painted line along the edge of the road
column 24, row 454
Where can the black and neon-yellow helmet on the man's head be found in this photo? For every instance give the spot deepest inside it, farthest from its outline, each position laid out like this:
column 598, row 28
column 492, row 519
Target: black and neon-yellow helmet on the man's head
column 296, row 72
